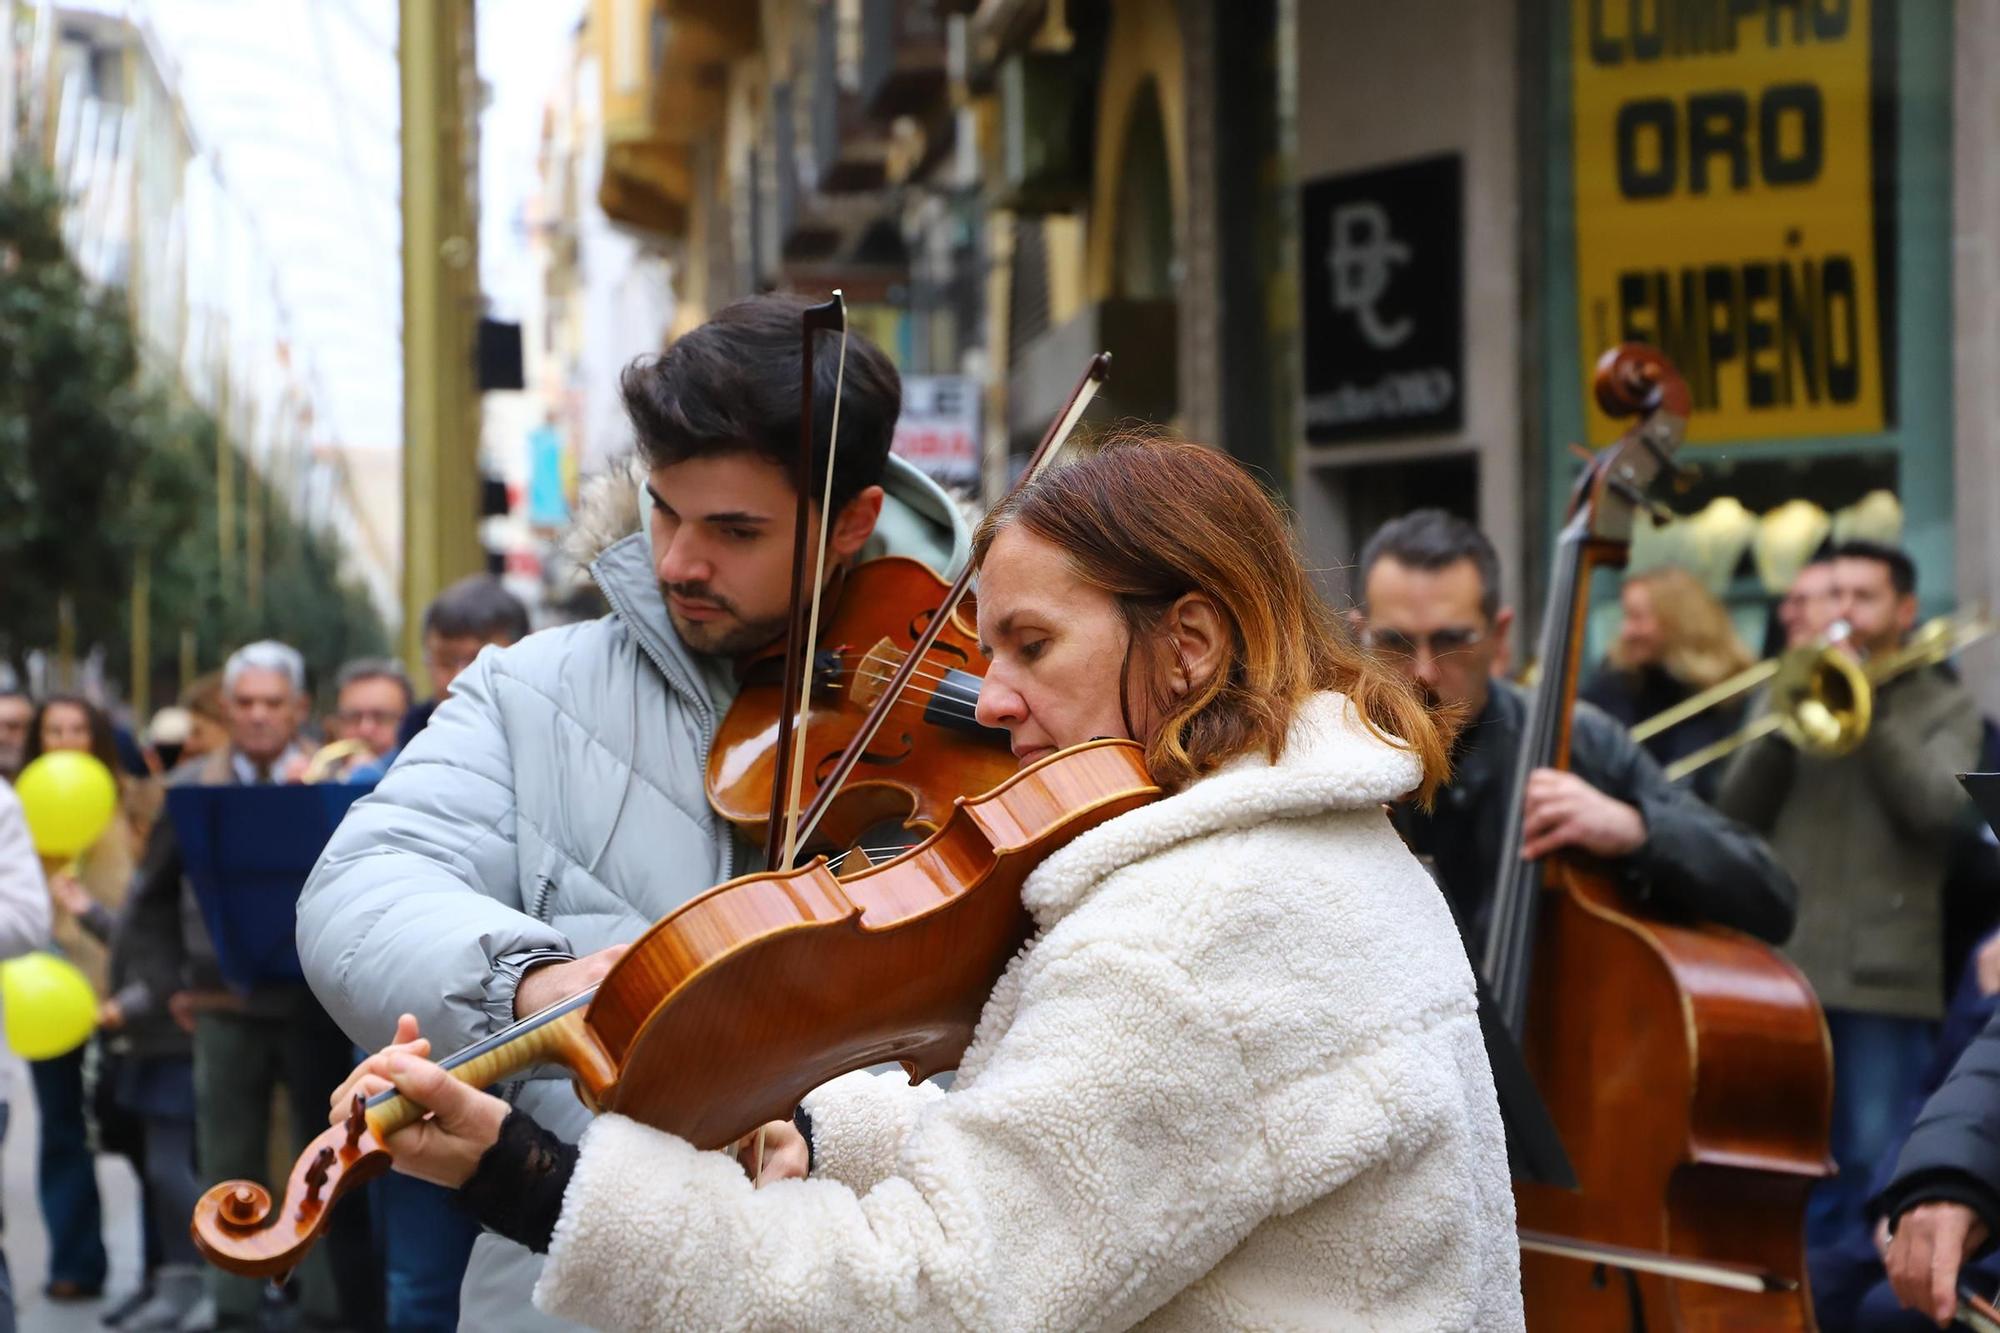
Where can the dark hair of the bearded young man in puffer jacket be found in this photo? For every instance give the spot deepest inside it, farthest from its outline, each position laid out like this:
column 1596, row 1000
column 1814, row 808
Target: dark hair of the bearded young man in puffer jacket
column 733, row 387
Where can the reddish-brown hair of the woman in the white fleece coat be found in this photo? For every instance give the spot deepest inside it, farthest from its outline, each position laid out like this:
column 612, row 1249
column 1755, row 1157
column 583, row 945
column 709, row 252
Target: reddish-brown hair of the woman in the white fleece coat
column 1151, row 521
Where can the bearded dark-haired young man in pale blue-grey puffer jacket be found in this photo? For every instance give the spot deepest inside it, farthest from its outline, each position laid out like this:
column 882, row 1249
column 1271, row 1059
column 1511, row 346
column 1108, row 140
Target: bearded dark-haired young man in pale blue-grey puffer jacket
column 555, row 806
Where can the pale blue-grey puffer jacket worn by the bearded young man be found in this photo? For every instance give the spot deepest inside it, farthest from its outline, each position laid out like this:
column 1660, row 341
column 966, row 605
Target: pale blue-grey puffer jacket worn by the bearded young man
column 555, row 806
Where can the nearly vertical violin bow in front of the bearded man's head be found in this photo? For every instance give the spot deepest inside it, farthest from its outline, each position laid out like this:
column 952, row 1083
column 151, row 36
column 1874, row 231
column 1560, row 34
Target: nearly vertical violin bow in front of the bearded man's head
column 805, row 619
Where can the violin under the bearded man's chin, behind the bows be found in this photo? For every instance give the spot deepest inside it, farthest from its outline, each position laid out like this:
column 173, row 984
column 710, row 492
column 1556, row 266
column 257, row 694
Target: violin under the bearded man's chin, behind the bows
column 929, row 750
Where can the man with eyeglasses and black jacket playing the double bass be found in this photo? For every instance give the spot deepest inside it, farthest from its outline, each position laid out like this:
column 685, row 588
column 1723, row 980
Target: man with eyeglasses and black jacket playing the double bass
column 1431, row 609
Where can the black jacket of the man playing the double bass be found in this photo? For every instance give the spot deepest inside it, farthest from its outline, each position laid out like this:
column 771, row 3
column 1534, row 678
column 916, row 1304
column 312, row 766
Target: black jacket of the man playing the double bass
column 1695, row 864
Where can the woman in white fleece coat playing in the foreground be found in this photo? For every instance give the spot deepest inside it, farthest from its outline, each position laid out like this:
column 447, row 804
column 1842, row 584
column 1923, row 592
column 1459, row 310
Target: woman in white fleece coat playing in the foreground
column 1237, row 1076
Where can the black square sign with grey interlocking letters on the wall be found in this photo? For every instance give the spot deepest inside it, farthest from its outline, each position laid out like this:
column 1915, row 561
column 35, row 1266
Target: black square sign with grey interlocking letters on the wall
column 1383, row 273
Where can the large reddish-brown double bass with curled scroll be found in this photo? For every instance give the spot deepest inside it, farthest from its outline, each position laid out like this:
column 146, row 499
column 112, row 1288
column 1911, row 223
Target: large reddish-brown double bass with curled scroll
column 1687, row 1068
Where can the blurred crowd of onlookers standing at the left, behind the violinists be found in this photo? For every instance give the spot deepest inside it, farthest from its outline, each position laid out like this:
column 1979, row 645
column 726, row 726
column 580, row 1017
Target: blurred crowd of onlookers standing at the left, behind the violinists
column 187, row 1078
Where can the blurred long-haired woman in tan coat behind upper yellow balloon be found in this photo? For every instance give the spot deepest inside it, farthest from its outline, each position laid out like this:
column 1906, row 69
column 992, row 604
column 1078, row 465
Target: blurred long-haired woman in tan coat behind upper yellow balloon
column 67, row 1176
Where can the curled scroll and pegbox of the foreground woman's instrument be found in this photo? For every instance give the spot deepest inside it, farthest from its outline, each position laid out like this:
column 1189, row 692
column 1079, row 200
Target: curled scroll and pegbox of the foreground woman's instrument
column 241, row 1232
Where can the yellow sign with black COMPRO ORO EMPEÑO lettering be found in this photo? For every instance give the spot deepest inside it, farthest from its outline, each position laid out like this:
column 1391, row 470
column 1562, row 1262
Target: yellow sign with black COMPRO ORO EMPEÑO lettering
column 1725, row 207
